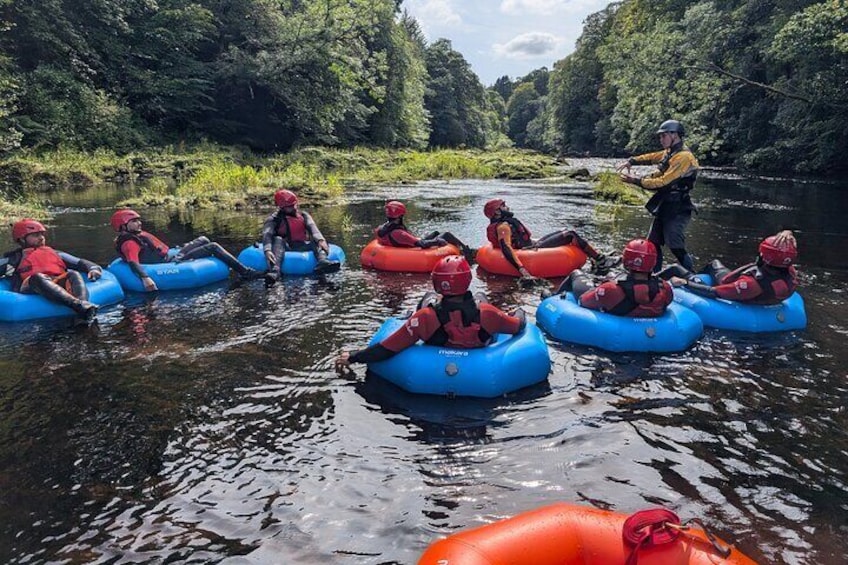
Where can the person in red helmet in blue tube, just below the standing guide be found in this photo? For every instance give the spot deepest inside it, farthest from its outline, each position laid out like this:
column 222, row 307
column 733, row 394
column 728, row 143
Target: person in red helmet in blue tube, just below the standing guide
column 638, row 294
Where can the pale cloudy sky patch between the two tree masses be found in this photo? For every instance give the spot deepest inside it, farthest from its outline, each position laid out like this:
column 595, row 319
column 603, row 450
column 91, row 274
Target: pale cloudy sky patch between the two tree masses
column 505, row 37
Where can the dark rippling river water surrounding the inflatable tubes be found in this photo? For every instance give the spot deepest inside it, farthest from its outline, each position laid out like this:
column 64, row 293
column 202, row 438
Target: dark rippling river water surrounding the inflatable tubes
column 210, row 427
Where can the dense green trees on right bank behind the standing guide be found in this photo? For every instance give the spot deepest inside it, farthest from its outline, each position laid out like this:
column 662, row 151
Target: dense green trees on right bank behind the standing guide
column 757, row 84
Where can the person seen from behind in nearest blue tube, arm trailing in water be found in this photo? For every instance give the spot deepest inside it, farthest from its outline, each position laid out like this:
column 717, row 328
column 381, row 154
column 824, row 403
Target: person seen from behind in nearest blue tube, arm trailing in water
column 450, row 317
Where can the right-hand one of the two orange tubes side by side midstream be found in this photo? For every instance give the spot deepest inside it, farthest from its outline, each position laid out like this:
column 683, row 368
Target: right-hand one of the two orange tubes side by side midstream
column 547, row 262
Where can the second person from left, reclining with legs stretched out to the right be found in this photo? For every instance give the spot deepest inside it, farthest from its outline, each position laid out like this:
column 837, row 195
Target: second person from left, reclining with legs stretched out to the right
column 136, row 246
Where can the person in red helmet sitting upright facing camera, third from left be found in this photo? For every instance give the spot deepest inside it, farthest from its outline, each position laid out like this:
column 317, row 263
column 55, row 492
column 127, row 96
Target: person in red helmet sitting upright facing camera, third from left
column 289, row 229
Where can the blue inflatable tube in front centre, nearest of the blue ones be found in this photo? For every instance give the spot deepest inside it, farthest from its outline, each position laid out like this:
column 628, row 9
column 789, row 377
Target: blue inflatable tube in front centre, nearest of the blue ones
column 505, row 365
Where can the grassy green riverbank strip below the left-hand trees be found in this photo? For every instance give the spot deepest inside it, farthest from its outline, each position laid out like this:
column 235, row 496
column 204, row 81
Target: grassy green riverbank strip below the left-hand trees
column 210, row 176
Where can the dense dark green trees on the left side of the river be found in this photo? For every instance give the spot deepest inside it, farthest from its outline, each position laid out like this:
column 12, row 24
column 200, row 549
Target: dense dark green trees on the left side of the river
column 267, row 74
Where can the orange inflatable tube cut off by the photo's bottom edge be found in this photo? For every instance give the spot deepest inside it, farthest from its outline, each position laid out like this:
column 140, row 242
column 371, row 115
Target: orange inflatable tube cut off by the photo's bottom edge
column 566, row 534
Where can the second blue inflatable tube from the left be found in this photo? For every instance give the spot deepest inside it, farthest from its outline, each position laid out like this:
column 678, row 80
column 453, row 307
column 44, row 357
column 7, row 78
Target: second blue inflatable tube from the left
column 172, row 276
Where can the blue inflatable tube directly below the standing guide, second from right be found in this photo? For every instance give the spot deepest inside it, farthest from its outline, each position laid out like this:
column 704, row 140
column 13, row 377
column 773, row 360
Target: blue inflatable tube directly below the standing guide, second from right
column 565, row 320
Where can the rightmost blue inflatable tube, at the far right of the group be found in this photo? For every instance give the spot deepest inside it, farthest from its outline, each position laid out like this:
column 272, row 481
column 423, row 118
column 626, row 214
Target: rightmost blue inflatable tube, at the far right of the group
column 727, row 315
